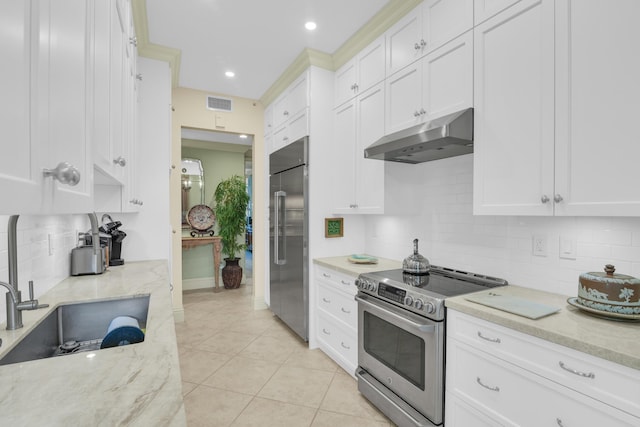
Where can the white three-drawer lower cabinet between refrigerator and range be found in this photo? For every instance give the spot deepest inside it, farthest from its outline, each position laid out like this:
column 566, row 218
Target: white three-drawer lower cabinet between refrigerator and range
column 337, row 317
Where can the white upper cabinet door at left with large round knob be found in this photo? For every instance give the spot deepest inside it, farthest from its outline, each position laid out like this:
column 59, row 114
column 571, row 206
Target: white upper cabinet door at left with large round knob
column 64, row 78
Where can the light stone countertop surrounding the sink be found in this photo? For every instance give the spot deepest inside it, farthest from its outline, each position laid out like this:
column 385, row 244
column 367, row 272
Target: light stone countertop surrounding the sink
column 137, row 385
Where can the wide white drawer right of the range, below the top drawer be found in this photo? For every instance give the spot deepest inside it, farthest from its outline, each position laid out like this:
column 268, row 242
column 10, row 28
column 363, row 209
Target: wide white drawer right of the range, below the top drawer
column 514, row 395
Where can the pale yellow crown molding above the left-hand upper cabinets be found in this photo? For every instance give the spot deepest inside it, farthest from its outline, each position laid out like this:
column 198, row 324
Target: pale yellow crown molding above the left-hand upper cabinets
column 152, row 50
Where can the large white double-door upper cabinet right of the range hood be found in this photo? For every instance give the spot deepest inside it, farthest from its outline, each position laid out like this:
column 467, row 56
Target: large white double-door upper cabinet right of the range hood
column 553, row 131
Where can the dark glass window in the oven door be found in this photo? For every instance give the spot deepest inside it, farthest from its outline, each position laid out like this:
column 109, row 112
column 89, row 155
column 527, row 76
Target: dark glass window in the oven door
column 396, row 348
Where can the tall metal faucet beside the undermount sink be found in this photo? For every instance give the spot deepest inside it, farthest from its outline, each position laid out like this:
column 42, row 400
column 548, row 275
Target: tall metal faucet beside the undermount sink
column 15, row 305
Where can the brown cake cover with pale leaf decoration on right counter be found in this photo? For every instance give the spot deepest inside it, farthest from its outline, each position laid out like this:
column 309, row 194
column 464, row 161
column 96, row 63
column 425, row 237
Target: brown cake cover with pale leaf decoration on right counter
column 607, row 291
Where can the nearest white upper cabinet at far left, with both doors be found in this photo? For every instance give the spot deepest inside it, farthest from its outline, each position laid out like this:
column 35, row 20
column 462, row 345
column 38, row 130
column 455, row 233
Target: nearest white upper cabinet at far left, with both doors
column 47, row 108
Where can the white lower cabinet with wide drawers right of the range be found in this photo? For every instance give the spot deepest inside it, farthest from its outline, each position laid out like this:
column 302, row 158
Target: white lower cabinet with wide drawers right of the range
column 507, row 378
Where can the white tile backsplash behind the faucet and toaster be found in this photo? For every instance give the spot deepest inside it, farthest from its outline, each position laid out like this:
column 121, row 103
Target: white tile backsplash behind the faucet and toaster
column 44, row 247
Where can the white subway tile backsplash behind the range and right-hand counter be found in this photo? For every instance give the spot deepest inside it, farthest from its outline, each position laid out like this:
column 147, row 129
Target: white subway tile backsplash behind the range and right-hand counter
column 433, row 202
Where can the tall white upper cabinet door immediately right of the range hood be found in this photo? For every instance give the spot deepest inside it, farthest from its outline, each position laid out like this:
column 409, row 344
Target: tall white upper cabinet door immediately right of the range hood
column 514, row 111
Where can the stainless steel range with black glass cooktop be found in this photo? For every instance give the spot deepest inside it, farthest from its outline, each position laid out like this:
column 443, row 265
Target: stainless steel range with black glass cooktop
column 401, row 335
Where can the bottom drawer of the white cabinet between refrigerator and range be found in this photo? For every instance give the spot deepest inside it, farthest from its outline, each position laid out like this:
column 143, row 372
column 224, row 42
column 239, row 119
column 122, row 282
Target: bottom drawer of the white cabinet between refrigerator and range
column 338, row 341
